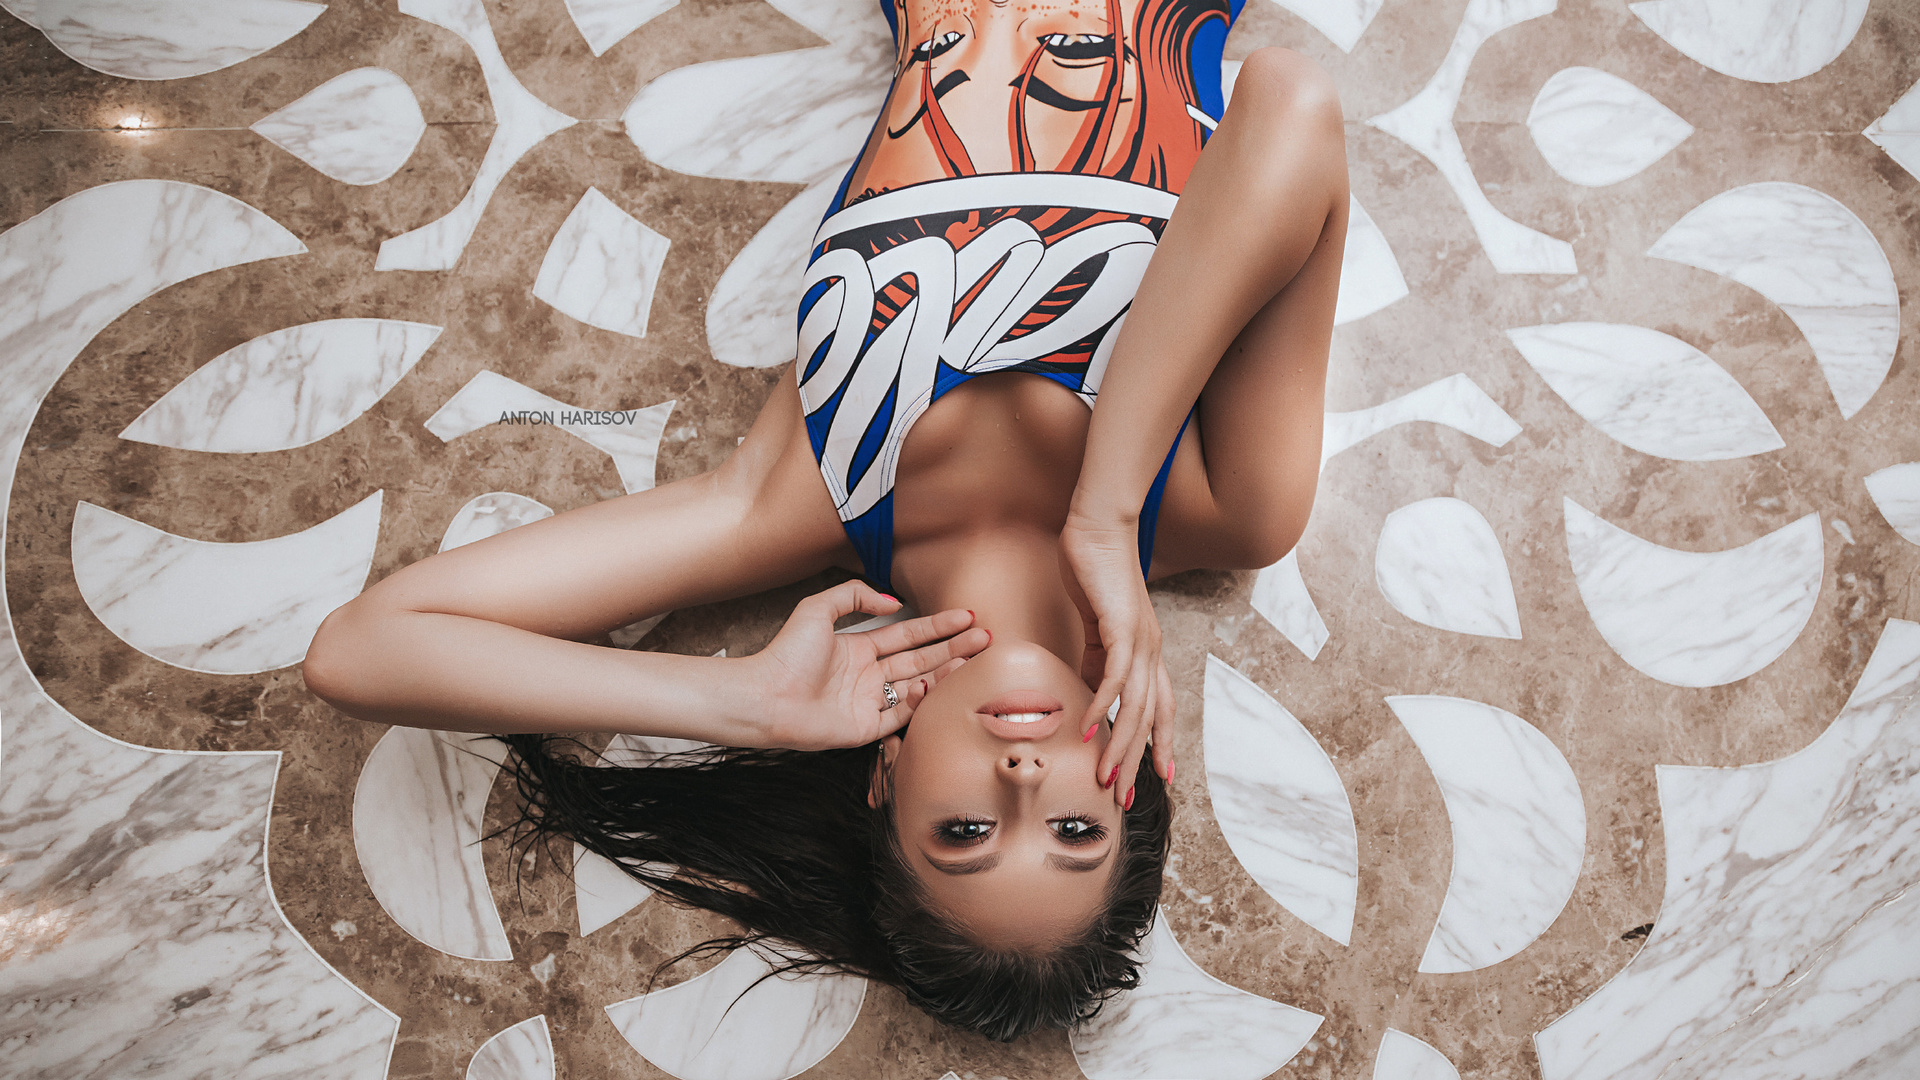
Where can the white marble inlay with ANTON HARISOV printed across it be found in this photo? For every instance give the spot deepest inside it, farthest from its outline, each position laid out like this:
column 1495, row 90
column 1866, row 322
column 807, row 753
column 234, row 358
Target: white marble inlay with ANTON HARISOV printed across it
column 631, row 437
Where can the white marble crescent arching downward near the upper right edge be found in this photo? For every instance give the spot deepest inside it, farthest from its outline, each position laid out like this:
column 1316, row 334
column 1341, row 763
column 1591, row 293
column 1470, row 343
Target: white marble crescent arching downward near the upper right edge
column 1813, row 258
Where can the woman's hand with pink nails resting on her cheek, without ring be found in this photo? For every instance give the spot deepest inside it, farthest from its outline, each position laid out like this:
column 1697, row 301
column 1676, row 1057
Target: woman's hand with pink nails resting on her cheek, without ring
column 1122, row 658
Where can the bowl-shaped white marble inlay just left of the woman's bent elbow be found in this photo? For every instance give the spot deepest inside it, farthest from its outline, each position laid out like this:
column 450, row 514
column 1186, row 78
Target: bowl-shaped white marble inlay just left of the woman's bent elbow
column 222, row 608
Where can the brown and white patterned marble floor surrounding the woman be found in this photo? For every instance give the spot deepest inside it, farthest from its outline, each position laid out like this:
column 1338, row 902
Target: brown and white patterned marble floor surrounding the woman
column 1579, row 737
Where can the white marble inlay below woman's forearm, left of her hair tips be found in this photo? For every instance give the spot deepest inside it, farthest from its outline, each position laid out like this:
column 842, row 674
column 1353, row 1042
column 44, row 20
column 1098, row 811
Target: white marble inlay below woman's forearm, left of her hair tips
column 418, row 814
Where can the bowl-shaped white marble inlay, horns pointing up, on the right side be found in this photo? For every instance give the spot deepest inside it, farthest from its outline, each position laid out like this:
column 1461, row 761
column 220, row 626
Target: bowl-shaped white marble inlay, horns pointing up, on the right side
column 1696, row 618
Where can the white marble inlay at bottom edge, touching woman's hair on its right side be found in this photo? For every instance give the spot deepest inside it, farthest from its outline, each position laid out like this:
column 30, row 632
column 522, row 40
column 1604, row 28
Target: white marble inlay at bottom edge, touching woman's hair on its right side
column 1182, row 1021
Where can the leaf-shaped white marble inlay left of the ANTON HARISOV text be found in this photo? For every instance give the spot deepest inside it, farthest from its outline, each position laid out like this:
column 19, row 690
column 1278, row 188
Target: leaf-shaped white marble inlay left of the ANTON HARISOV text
column 285, row 389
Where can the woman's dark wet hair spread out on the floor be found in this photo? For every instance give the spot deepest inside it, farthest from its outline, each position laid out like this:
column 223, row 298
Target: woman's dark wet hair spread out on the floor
column 784, row 845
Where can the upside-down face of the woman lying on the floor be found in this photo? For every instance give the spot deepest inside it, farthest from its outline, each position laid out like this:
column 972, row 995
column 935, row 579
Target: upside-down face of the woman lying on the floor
column 997, row 804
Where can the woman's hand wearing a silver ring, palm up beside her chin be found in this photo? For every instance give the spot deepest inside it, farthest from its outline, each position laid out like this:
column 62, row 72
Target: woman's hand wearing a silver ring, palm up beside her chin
column 823, row 691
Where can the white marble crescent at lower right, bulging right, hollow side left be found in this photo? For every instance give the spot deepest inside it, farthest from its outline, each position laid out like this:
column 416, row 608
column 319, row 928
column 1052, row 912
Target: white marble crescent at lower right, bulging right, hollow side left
column 1518, row 823
